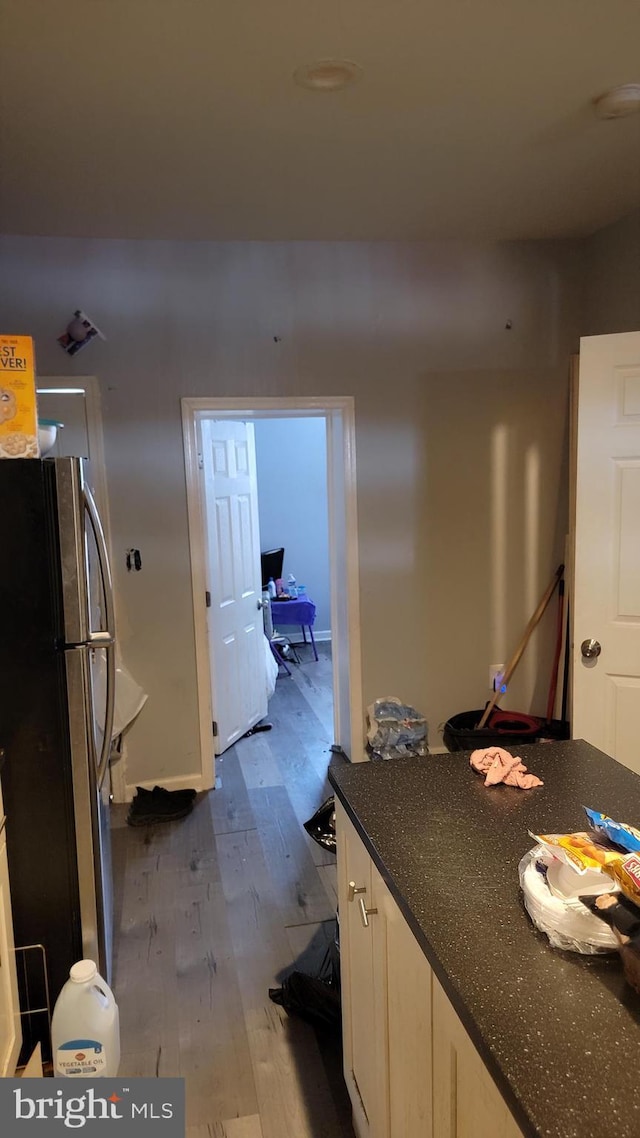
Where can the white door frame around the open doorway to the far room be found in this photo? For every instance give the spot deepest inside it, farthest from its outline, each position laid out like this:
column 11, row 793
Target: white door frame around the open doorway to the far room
column 340, row 416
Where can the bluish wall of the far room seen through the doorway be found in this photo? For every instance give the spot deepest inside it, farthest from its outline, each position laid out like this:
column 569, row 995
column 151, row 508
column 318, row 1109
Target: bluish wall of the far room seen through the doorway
column 292, row 486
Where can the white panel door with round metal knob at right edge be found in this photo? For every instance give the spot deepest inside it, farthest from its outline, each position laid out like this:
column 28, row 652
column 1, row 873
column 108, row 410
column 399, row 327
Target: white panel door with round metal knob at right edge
column 606, row 685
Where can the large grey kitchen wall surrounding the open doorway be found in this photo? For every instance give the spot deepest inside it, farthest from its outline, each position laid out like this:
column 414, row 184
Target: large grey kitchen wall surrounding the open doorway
column 417, row 335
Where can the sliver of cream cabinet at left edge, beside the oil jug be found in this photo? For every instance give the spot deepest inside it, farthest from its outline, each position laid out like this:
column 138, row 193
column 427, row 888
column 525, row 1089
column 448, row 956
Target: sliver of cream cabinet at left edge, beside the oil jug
column 11, row 1034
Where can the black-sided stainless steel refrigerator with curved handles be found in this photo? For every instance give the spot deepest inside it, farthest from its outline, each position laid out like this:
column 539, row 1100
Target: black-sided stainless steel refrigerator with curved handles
column 58, row 690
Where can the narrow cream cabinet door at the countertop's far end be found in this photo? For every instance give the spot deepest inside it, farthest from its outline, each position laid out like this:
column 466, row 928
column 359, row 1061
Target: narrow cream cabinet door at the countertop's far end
column 363, row 984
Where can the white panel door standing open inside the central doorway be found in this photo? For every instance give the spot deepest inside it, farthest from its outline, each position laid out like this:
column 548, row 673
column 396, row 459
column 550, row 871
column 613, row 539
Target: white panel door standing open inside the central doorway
column 236, row 628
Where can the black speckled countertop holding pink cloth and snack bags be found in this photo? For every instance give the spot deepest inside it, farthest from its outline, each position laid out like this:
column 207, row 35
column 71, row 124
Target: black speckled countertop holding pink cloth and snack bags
column 560, row 1032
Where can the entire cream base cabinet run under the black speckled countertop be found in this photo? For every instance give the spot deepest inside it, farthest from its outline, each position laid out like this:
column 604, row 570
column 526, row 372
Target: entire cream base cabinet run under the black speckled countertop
column 411, row 1067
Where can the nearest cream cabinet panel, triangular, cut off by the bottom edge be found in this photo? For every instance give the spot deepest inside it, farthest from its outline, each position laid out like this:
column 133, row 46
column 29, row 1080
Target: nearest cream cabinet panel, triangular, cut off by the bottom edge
column 467, row 1103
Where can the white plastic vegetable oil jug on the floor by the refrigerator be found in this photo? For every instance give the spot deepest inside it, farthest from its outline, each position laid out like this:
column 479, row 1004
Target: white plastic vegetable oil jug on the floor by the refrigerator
column 86, row 1027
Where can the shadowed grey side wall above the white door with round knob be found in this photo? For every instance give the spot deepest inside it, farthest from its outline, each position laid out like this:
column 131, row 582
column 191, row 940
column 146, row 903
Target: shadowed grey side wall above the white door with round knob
column 613, row 278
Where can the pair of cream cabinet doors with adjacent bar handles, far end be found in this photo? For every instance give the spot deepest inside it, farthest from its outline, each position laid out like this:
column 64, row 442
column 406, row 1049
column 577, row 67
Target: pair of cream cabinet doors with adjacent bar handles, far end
column 387, row 994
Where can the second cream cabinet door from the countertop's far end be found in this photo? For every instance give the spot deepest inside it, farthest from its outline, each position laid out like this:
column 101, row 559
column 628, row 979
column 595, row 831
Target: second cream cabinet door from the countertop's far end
column 409, row 1022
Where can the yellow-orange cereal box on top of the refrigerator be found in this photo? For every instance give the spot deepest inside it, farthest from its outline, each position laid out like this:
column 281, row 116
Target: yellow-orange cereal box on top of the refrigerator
column 19, row 415
